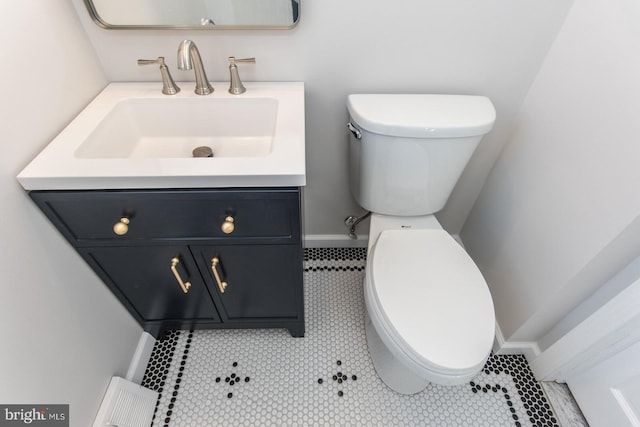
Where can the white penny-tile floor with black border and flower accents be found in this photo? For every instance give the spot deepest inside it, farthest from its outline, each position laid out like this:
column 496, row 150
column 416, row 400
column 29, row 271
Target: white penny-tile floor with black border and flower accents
column 267, row 378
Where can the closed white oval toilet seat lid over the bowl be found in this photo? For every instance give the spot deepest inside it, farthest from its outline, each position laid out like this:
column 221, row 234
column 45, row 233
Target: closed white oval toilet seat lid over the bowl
column 433, row 299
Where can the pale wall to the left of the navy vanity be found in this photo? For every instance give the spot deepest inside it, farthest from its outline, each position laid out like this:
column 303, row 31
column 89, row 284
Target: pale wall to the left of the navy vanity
column 63, row 334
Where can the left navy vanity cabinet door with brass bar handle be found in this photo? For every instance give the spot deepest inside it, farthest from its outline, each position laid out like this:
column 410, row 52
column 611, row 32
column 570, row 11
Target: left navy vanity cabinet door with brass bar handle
column 147, row 280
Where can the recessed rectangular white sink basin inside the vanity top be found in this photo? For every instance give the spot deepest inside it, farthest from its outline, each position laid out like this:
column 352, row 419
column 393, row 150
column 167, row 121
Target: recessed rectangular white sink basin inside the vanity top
column 240, row 127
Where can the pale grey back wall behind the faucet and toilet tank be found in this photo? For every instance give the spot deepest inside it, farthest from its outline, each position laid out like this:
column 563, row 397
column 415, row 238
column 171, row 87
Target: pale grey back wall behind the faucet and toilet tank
column 491, row 48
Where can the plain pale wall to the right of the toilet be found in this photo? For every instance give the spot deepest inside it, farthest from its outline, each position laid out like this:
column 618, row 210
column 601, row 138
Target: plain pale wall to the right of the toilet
column 560, row 212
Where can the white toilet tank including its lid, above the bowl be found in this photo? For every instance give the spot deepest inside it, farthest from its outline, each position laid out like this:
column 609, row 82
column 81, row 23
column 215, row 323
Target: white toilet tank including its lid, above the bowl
column 408, row 151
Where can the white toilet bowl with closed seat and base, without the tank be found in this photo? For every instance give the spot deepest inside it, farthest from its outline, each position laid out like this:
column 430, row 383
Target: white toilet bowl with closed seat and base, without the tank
column 429, row 312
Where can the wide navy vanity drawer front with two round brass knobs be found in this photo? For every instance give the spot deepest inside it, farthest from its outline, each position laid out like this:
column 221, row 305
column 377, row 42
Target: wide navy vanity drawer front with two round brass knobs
column 86, row 217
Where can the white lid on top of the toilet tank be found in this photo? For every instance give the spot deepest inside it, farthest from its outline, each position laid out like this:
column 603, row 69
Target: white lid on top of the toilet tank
column 421, row 115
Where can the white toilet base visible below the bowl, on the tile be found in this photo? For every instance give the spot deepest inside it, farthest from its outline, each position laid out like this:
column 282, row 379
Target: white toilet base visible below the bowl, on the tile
column 393, row 373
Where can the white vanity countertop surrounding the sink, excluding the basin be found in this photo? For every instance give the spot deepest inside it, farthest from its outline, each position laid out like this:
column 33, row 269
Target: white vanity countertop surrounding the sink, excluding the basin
column 58, row 167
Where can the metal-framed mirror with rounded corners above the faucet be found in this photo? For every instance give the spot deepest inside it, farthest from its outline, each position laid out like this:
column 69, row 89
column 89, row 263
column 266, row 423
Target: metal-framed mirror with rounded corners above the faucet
column 194, row 14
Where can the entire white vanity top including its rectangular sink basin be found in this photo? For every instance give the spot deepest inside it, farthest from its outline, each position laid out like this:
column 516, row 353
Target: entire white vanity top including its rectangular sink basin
column 133, row 136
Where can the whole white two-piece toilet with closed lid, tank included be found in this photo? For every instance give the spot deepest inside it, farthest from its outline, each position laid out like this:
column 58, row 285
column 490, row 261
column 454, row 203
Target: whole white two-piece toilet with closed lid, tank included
column 429, row 315
